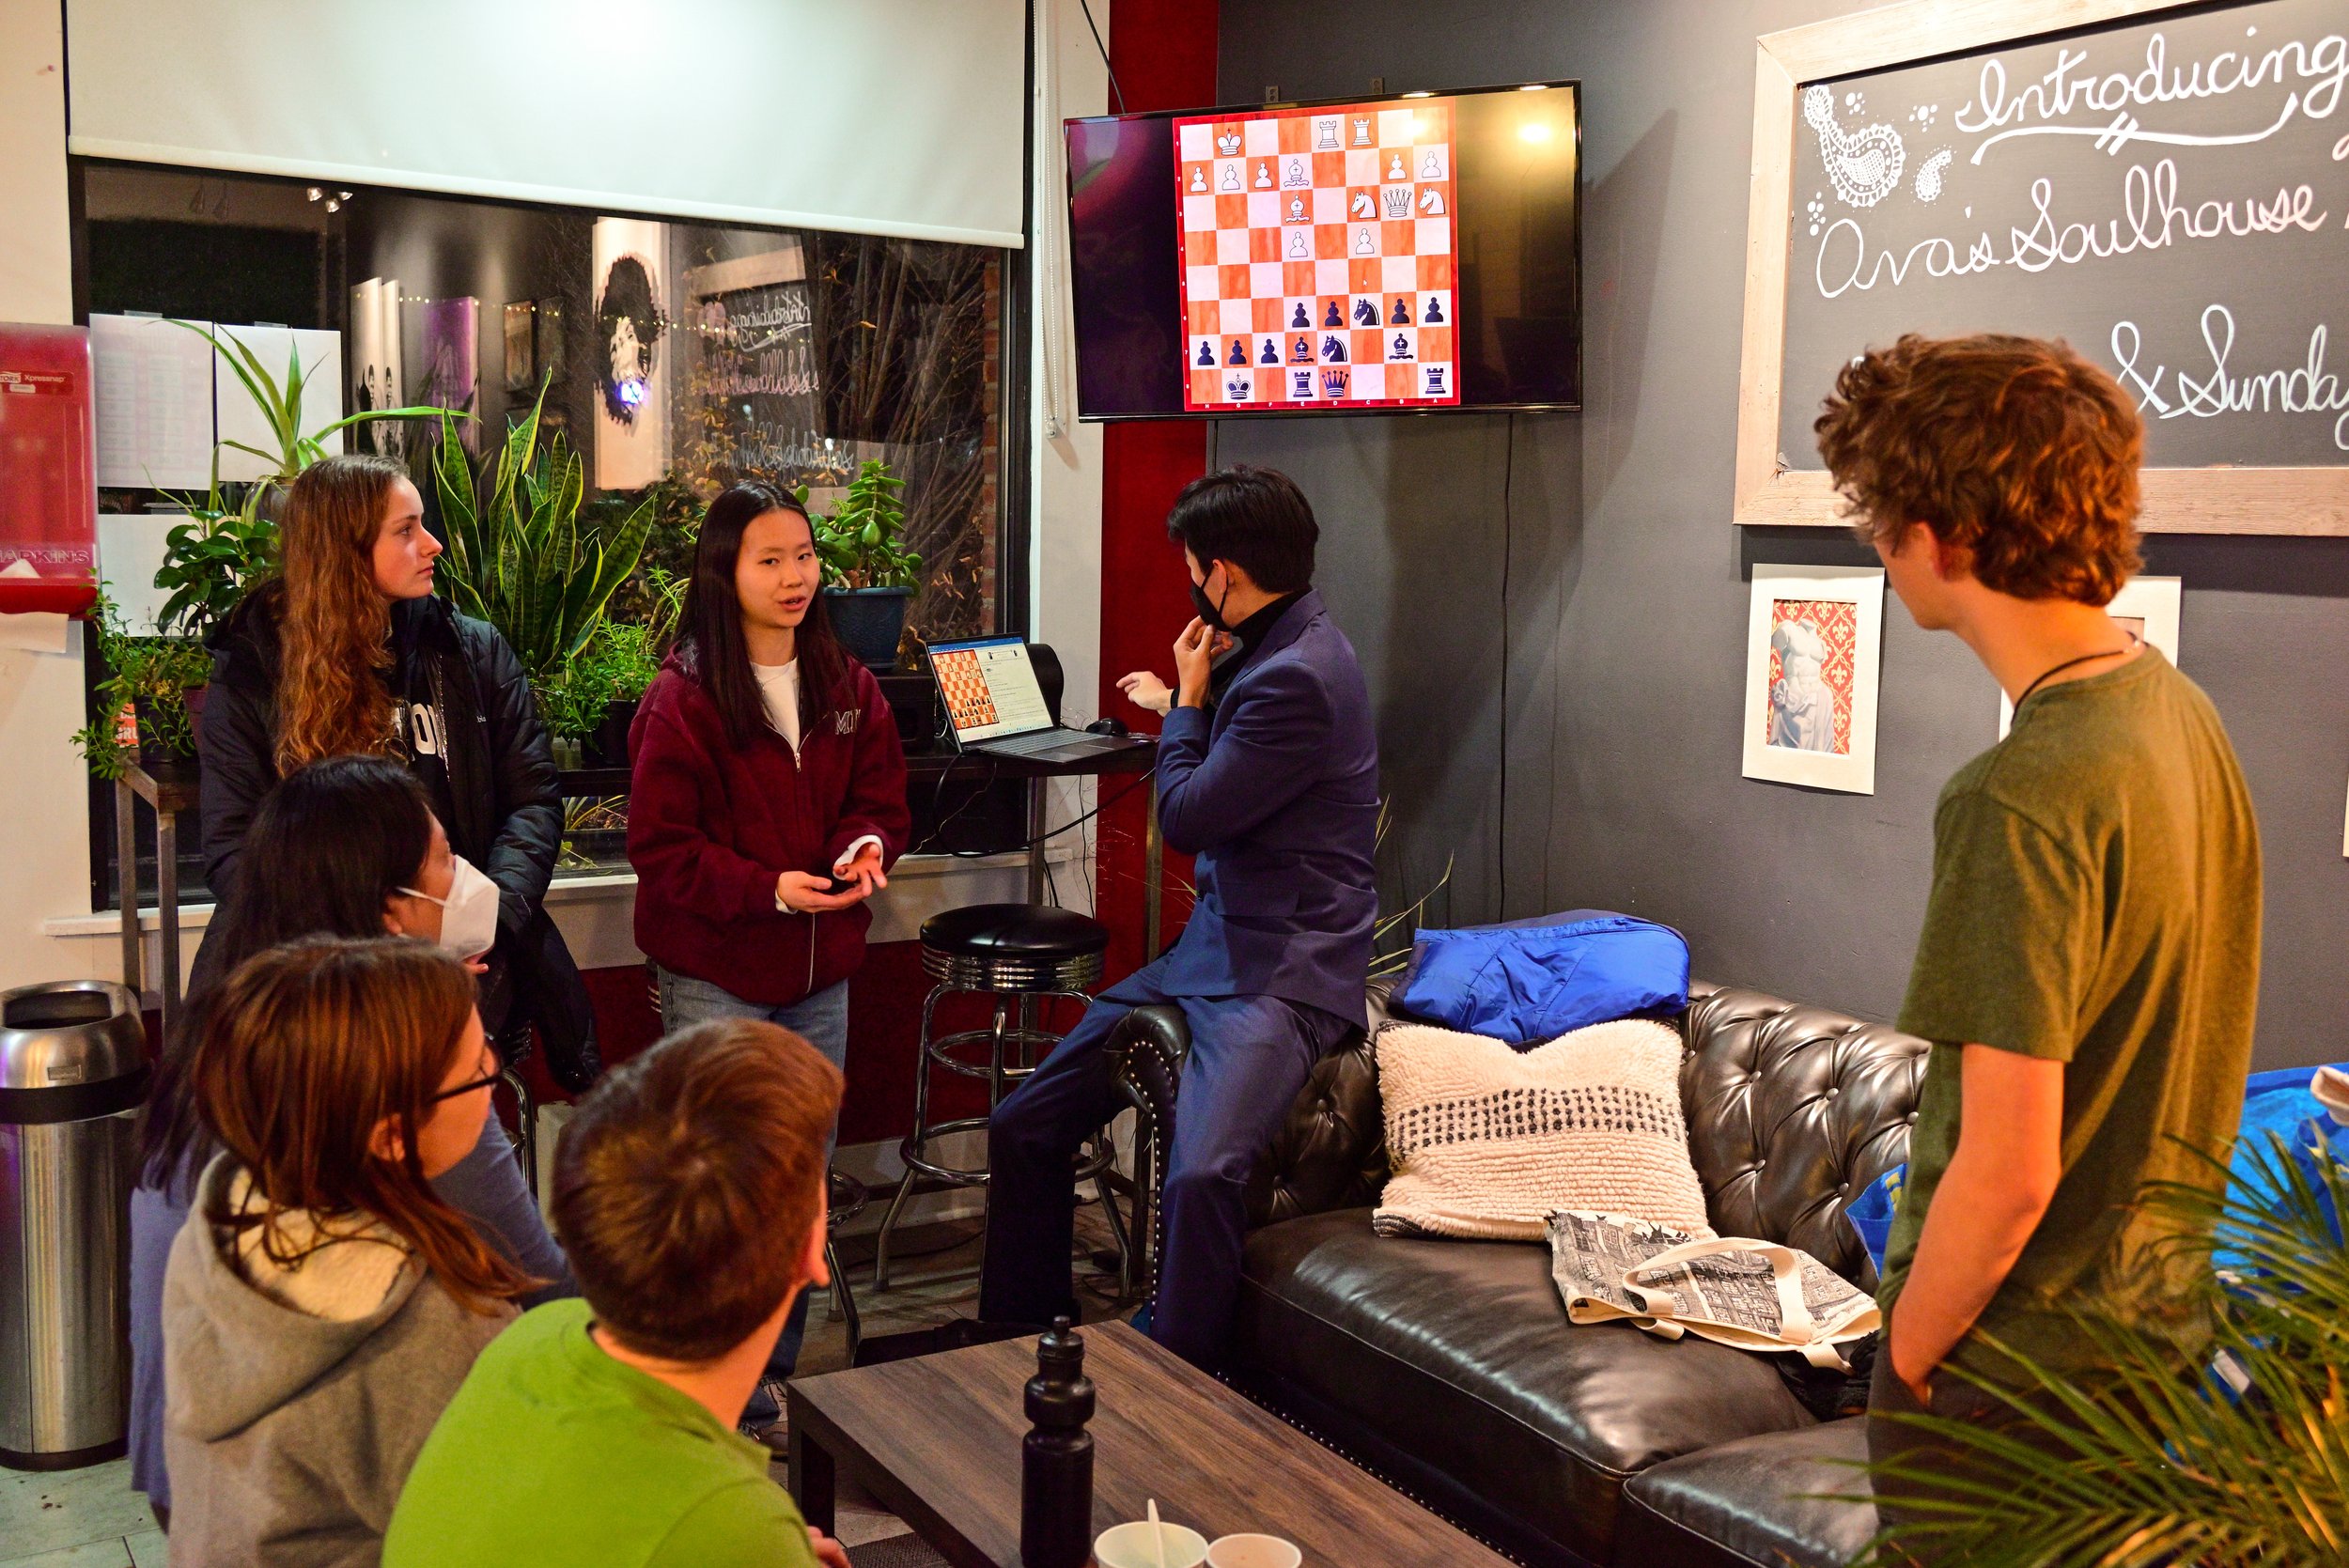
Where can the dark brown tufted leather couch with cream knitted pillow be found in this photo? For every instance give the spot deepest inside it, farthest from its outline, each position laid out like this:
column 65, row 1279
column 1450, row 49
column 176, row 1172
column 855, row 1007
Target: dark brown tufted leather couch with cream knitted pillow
column 1451, row 1367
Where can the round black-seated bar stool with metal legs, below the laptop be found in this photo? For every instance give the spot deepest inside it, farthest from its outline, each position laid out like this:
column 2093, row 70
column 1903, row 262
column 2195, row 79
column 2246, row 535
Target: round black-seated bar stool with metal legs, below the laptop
column 1018, row 954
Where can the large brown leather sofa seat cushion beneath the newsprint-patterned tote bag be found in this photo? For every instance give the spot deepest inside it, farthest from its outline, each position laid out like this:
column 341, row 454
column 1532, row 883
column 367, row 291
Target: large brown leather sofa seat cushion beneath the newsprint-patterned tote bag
column 1462, row 1353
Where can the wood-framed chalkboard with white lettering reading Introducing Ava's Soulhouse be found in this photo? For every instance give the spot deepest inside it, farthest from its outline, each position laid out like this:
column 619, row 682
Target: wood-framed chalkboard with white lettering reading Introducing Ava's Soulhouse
column 2165, row 189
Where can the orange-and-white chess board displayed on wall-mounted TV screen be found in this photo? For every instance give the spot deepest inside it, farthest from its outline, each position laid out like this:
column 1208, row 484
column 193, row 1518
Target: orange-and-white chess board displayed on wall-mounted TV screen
column 1319, row 257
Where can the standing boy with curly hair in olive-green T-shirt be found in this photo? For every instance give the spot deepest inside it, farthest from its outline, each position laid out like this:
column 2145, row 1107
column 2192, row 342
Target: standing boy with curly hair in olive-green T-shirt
column 2092, row 945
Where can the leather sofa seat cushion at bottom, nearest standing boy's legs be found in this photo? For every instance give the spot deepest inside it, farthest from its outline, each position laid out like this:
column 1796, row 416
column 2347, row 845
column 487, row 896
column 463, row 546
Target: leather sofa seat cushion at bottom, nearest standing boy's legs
column 1765, row 1501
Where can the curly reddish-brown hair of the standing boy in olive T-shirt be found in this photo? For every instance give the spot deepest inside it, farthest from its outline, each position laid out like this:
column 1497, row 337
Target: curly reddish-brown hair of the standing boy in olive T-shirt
column 2017, row 452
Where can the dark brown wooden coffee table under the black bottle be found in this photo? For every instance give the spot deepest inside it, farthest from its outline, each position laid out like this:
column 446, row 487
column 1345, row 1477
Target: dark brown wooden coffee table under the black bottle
column 938, row 1442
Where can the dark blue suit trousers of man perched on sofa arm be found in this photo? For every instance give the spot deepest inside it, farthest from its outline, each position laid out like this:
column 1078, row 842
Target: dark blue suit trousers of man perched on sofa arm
column 1248, row 1060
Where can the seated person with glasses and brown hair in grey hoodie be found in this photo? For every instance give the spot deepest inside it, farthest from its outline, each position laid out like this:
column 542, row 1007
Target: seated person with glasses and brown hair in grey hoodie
column 325, row 1304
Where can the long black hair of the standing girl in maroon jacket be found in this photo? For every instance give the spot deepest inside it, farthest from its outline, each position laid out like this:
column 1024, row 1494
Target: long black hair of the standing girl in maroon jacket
column 713, row 649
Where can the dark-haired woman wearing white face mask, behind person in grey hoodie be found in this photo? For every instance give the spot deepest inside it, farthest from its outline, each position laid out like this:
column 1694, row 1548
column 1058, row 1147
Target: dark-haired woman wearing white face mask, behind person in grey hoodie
column 354, row 851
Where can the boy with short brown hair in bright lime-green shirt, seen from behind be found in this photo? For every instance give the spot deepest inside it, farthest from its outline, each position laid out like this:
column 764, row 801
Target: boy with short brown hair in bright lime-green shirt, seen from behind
column 603, row 1431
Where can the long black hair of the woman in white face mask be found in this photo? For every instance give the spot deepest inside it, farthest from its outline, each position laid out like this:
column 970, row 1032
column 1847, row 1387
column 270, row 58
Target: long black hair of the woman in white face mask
column 330, row 844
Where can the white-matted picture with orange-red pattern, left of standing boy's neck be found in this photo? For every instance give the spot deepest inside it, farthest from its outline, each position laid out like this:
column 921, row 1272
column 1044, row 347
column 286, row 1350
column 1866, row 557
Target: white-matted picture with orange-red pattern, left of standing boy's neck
column 1815, row 647
